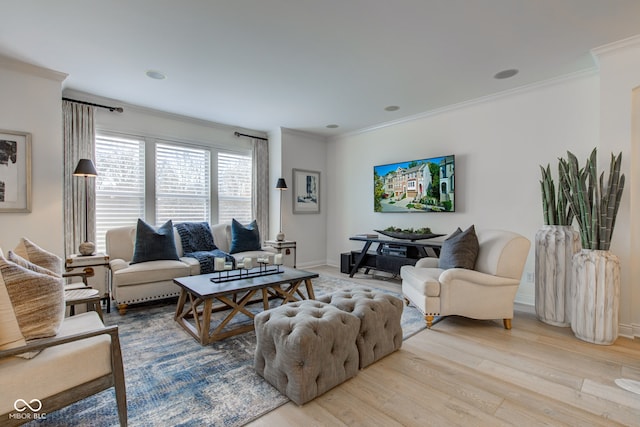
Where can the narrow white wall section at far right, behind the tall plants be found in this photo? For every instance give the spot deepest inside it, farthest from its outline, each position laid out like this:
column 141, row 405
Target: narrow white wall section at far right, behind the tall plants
column 620, row 82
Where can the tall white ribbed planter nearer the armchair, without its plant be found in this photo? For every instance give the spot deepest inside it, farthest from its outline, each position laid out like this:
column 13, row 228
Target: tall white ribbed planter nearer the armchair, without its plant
column 555, row 247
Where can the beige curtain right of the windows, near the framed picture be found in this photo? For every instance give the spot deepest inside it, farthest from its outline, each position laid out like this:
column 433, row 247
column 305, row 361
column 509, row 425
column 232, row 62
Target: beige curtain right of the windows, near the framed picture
column 260, row 185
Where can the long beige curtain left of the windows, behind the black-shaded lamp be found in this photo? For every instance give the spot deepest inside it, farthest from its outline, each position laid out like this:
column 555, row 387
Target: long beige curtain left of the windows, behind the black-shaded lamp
column 79, row 143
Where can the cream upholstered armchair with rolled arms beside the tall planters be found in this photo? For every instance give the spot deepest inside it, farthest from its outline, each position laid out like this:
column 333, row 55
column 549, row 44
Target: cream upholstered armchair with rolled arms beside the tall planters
column 486, row 292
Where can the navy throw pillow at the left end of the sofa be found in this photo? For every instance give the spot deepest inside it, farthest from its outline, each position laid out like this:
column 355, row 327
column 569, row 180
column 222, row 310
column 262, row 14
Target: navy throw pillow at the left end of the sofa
column 154, row 245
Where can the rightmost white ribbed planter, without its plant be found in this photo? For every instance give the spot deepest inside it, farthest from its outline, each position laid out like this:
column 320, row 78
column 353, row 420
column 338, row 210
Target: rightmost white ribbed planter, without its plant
column 596, row 300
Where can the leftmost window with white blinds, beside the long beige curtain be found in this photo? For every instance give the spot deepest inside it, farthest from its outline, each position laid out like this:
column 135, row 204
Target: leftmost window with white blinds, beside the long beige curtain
column 119, row 185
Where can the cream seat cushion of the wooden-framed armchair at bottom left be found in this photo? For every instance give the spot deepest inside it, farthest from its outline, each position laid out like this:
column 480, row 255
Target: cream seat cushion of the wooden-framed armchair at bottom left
column 58, row 368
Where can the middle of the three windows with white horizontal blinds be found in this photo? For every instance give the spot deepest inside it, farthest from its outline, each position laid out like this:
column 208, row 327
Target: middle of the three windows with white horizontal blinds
column 182, row 184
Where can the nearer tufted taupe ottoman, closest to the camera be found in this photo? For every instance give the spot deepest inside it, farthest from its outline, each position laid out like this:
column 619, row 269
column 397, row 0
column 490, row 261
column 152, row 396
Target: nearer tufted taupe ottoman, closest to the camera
column 306, row 348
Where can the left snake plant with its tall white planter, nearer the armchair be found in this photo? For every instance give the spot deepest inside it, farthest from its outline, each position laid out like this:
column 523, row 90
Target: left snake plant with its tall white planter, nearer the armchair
column 556, row 243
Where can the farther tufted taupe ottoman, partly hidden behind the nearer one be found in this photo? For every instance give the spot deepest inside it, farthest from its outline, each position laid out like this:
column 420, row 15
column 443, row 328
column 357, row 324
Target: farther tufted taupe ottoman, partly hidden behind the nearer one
column 379, row 314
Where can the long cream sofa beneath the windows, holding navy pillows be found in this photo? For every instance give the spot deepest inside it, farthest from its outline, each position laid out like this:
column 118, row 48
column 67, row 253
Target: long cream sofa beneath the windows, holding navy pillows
column 152, row 280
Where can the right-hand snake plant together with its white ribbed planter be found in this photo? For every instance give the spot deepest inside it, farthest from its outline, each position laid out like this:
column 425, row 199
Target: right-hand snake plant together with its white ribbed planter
column 595, row 270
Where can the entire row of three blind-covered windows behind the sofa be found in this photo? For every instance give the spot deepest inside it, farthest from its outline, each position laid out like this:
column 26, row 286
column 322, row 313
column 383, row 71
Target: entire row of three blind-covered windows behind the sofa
column 161, row 180
